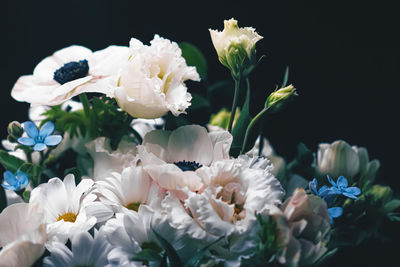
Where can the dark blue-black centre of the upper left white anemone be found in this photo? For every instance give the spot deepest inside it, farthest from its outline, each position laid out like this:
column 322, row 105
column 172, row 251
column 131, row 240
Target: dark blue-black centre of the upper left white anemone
column 71, row 71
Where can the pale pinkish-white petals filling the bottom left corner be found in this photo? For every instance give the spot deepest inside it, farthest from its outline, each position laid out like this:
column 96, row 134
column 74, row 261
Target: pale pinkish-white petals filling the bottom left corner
column 22, row 235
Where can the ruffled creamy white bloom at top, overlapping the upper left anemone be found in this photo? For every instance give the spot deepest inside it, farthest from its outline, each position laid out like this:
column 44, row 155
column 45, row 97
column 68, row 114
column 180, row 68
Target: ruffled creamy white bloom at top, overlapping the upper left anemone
column 152, row 83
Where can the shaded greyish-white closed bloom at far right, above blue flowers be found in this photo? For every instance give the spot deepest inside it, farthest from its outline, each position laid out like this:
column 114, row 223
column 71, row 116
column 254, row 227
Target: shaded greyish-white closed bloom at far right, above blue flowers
column 341, row 159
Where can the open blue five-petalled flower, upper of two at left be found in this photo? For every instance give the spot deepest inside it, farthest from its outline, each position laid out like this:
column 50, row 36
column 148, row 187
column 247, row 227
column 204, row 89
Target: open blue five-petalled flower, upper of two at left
column 39, row 139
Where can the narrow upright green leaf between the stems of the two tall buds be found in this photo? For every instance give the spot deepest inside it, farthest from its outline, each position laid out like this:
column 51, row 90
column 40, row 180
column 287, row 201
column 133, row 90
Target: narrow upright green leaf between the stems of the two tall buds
column 239, row 130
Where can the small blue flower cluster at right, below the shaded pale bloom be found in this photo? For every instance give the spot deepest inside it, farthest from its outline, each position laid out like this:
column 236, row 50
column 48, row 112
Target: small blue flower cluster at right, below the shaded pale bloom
column 327, row 193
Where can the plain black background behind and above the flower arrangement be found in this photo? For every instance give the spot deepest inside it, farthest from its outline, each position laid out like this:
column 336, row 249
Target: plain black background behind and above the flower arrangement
column 344, row 59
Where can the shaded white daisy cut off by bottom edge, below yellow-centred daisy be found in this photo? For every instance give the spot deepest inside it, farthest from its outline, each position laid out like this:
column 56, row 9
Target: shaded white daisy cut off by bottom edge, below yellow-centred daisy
column 85, row 251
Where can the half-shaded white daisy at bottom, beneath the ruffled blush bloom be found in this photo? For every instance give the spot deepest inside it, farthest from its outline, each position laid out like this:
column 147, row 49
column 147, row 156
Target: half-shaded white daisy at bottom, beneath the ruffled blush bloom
column 131, row 232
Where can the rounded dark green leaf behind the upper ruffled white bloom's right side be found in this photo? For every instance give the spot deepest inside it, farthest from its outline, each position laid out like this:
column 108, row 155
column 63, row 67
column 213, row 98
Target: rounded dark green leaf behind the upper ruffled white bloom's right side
column 194, row 57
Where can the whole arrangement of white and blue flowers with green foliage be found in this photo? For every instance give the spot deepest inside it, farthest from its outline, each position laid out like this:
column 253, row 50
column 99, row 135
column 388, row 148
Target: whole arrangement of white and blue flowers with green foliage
column 110, row 170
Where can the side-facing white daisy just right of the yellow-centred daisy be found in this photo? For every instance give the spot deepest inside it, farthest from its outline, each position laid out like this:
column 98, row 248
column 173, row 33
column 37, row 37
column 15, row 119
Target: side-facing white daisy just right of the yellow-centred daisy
column 128, row 190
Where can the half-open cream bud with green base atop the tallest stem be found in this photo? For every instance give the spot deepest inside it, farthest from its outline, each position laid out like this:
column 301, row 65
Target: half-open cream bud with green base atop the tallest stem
column 235, row 46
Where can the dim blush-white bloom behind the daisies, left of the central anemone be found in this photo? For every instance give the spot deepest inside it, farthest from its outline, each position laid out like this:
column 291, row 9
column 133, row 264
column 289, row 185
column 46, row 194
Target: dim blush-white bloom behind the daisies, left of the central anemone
column 107, row 161
